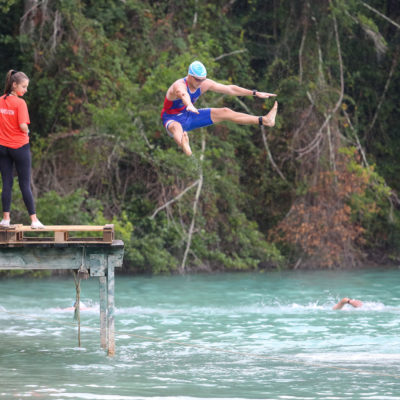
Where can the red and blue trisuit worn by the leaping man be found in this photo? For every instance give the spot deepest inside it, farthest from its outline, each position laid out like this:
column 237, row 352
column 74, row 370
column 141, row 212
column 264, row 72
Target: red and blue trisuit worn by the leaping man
column 176, row 111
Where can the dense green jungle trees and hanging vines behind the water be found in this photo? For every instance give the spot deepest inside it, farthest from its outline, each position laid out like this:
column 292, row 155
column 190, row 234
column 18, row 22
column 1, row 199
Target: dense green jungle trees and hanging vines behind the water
column 319, row 190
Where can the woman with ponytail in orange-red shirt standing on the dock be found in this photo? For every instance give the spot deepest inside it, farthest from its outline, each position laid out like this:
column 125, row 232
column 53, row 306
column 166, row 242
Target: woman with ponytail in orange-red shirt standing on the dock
column 15, row 147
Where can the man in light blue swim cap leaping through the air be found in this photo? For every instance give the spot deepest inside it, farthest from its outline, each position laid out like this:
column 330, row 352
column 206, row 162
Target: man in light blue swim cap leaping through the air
column 179, row 115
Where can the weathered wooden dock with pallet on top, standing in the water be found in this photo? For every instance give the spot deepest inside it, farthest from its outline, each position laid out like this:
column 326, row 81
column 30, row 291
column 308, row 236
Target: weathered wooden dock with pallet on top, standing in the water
column 55, row 248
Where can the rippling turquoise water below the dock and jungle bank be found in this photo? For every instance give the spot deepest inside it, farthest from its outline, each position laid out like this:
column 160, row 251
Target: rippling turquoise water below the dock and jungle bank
column 225, row 336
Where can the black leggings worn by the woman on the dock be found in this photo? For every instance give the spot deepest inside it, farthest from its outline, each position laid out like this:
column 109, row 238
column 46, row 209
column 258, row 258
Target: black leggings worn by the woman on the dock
column 21, row 157
